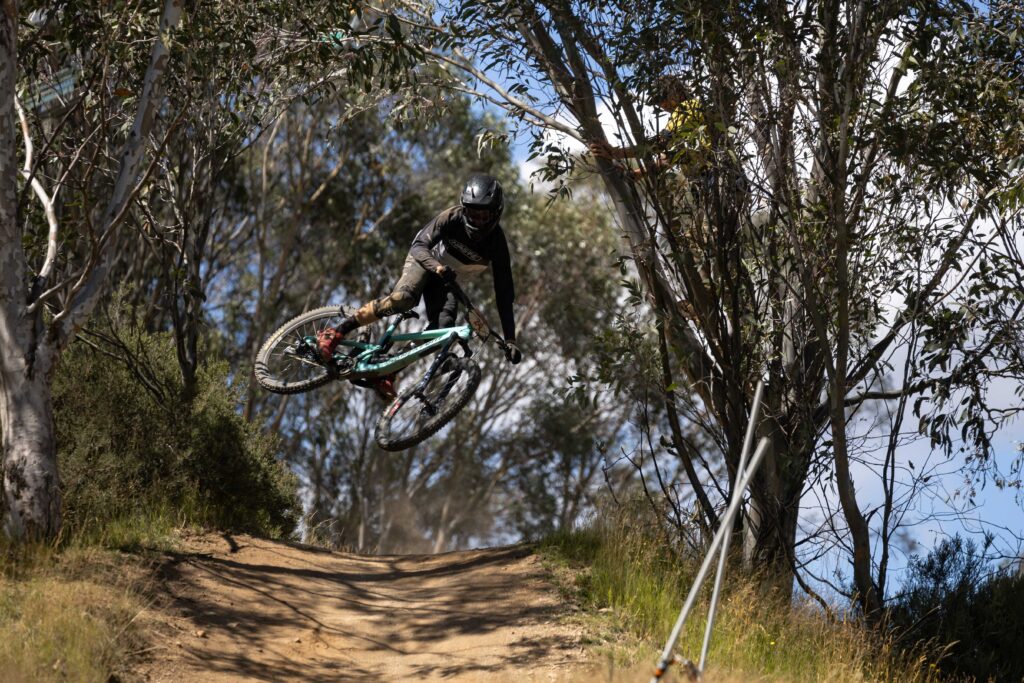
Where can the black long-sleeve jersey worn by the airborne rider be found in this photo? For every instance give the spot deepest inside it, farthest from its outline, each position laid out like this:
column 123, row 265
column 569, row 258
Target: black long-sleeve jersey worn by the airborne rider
column 444, row 242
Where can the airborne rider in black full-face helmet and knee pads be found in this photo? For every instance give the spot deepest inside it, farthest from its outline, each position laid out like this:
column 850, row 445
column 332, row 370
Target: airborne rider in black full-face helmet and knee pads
column 461, row 241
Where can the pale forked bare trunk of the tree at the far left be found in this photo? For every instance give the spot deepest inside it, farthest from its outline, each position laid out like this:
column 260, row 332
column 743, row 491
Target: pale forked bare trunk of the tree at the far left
column 31, row 497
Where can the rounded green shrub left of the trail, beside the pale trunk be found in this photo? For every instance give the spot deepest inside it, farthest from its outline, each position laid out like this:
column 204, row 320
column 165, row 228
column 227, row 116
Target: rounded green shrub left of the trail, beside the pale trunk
column 130, row 444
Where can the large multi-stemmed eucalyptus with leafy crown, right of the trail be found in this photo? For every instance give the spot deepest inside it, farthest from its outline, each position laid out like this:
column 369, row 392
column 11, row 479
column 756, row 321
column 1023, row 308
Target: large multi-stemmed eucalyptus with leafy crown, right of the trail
column 818, row 249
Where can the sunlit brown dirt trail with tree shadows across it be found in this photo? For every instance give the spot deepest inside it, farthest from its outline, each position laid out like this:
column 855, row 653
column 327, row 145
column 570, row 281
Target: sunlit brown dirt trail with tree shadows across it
column 244, row 609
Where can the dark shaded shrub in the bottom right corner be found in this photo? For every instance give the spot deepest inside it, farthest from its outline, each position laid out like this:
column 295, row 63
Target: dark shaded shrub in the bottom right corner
column 954, row 599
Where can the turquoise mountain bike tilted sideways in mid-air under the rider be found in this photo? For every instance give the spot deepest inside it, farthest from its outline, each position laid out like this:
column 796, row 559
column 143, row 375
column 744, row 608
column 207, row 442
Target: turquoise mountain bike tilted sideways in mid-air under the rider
column 290, row 363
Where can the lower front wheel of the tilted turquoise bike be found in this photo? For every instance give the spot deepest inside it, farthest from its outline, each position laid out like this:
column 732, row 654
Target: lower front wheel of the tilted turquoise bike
column 416, row 415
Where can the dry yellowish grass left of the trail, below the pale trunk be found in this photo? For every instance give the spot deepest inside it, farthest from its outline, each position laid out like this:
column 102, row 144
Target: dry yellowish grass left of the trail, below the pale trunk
column 71, row 614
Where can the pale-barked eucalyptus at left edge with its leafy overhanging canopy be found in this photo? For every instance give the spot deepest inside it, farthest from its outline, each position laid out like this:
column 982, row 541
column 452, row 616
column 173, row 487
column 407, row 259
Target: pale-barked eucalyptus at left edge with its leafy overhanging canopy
column 83, row 100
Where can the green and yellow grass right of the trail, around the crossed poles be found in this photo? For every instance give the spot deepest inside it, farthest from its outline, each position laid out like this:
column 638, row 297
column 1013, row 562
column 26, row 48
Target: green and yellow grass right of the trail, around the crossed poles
column 624, row 576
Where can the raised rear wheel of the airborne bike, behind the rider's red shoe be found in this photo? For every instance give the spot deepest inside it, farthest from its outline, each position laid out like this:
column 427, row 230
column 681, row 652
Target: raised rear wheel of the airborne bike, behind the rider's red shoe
column 289, row 362
